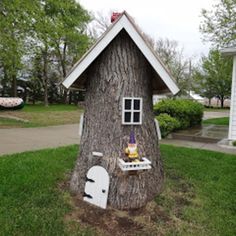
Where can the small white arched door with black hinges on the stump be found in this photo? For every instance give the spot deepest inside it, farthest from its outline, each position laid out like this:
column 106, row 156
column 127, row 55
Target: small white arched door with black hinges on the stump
column 97, row 186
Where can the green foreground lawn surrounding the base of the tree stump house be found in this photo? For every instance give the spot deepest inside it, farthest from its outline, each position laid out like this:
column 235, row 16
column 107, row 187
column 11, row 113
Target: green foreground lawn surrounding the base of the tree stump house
column 198, row 197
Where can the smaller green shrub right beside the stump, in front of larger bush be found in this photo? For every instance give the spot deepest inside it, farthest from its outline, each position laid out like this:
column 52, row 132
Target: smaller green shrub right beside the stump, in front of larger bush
column 167, row 124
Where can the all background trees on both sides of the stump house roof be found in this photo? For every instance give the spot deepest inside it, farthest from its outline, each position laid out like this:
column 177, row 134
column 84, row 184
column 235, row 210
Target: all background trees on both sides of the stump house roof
column 40, row 40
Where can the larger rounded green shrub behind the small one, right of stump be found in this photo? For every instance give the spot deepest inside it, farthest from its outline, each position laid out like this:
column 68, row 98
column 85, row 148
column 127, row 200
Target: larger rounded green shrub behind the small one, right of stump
column 189, row 113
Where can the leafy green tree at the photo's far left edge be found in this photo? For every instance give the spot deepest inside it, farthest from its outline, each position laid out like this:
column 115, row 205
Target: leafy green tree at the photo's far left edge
column 14, row 25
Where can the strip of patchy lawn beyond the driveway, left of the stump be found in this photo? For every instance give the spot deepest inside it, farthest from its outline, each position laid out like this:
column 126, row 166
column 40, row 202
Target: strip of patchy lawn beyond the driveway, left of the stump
column 39, row 115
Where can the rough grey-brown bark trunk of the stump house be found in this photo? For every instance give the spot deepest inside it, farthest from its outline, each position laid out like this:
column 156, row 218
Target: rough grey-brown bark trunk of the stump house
column 120, row 71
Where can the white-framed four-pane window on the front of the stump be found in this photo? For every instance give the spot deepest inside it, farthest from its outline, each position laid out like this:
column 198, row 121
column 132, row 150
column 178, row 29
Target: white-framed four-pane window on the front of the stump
column 132, row 111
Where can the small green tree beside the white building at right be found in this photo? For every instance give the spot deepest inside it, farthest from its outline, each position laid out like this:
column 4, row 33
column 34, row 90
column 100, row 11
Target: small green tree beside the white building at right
column 215, row 77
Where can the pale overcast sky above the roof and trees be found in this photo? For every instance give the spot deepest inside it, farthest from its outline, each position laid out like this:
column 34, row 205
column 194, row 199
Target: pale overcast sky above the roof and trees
column 173, row 19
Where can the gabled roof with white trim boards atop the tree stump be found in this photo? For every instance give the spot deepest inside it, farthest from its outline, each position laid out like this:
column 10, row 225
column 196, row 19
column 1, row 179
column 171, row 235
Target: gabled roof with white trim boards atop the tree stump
column 125, row 22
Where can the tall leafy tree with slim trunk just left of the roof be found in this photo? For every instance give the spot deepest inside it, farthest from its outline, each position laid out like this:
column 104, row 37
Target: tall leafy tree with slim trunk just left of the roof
column 60, row 35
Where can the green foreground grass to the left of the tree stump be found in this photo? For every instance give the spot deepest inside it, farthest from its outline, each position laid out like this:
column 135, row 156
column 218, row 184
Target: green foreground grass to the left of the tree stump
column 31, row 203
